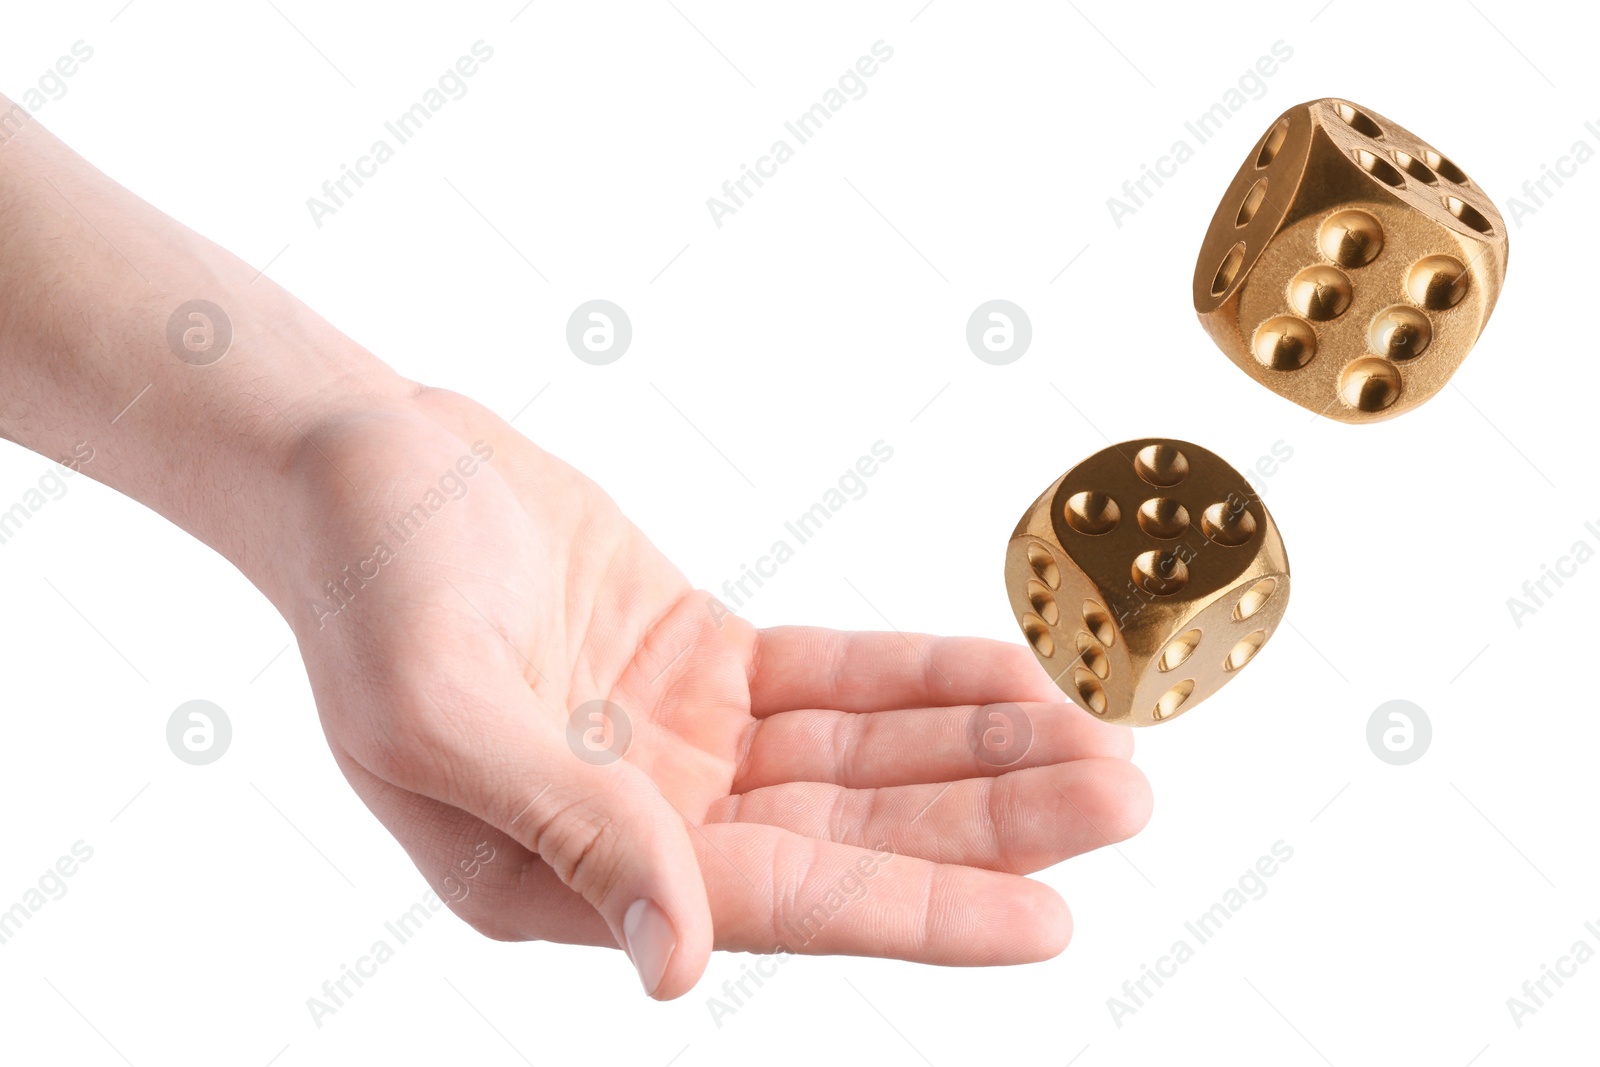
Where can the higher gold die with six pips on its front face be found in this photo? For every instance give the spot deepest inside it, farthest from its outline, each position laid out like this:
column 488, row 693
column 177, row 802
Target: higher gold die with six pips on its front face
column 1351, row 266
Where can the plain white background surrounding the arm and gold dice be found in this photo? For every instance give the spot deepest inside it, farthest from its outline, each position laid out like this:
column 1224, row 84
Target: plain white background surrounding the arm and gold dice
column 825, row 316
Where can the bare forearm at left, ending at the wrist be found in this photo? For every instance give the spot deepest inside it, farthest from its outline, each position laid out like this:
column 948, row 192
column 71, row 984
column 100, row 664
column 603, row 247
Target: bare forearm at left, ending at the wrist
column 90, row 278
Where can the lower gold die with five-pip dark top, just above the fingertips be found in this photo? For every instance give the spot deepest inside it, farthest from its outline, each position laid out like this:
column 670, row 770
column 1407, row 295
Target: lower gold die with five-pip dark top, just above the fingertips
column 1146, row 578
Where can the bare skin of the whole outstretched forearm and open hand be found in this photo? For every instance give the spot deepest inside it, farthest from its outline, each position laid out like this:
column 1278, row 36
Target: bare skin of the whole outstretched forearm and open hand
column 769, row 772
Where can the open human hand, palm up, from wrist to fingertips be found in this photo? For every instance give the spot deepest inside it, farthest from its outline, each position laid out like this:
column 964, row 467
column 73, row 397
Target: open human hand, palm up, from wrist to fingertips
column 788, row 789
